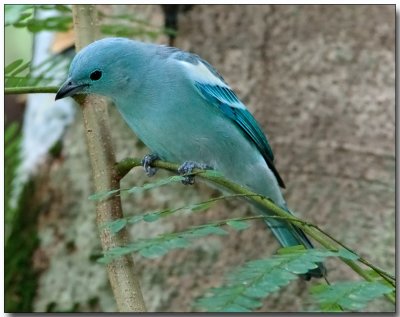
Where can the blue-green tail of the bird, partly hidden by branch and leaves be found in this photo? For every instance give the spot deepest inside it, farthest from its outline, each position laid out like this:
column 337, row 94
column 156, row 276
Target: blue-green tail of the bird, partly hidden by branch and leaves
column 289, row 235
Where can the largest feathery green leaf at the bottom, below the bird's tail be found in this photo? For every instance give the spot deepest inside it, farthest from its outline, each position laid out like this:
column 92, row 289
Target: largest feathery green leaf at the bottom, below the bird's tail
column 245, row 287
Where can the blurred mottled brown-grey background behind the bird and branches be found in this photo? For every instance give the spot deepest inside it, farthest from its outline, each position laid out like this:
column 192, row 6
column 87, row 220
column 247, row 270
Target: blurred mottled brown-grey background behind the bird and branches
column 320, row 80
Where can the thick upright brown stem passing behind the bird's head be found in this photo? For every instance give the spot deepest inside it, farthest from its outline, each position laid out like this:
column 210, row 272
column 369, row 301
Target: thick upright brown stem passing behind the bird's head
column 121, row 272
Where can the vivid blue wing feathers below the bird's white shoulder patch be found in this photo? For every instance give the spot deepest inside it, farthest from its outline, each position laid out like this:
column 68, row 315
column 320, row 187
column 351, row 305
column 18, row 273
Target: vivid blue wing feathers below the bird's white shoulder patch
column 226, row 100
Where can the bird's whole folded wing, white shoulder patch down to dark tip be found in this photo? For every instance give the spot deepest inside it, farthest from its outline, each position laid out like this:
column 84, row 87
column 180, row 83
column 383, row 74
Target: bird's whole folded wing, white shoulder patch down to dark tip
column 212, row 87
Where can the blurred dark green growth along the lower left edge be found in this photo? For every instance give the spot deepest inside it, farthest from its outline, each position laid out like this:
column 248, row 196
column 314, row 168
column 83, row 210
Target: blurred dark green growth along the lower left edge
column 20, row 231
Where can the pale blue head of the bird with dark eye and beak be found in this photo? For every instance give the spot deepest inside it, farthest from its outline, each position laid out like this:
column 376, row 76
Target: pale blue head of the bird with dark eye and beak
column 103, row 67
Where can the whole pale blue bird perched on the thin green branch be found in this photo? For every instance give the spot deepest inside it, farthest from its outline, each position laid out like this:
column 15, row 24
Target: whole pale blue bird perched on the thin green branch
column 183, row 110
